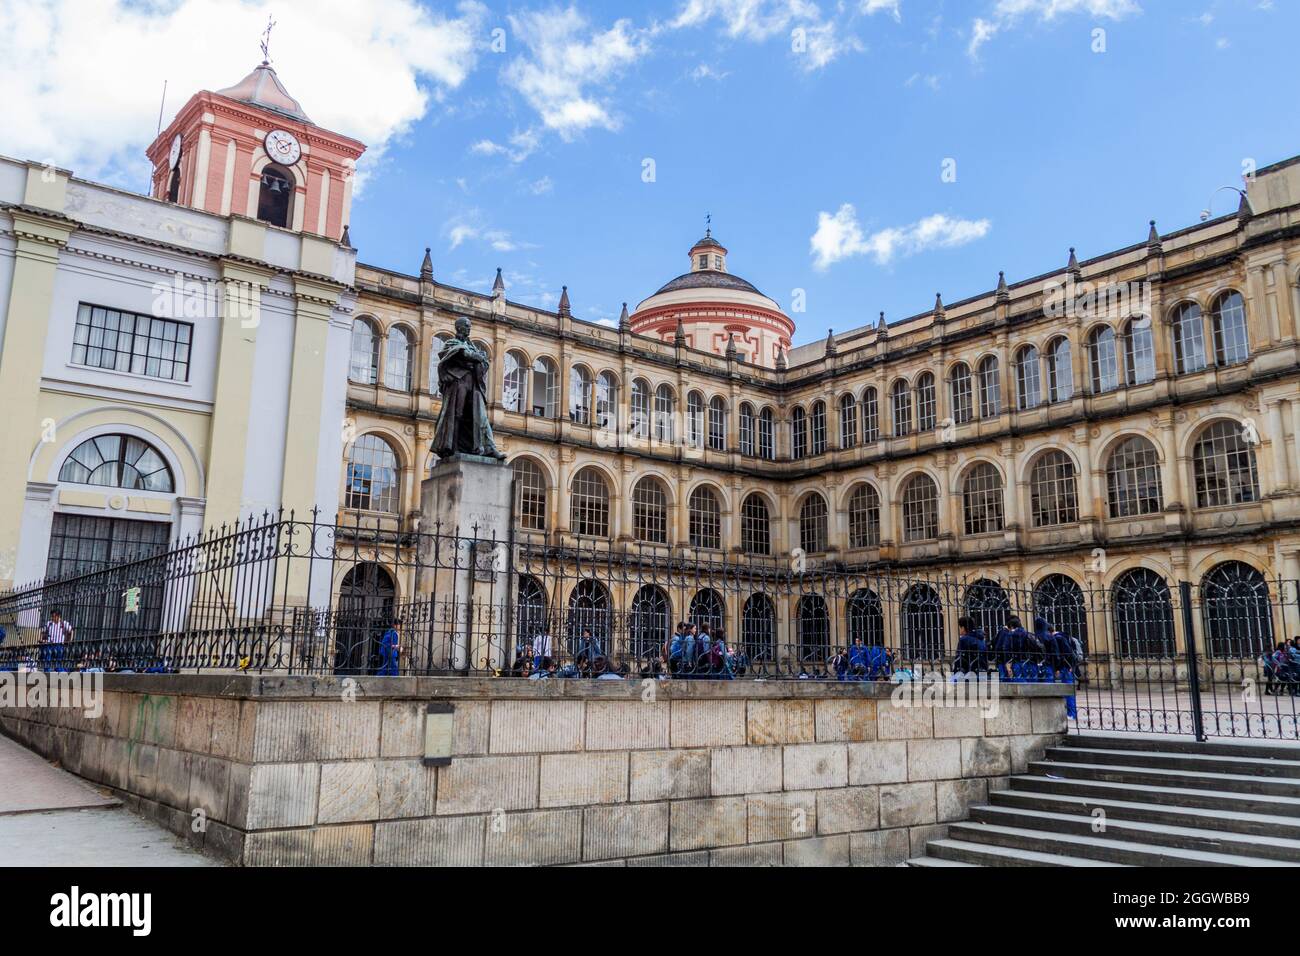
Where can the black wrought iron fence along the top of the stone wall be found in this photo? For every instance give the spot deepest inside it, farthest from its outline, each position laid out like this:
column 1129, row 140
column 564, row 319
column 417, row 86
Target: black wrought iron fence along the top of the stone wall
column 281, row 595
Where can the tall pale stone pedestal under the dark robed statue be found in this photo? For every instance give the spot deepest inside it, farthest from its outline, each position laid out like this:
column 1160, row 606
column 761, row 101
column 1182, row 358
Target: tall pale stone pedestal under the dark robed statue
column 463, row 569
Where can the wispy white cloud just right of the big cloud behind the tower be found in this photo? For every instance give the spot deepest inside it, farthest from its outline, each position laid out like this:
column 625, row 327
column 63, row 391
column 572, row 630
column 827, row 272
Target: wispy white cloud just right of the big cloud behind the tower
column 567, row 64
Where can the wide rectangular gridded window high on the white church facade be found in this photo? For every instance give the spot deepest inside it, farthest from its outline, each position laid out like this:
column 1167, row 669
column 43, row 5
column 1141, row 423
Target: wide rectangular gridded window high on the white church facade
column 129, row 343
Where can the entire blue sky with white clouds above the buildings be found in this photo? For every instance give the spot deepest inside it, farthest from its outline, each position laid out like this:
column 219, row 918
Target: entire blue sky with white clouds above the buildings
column 856, row 157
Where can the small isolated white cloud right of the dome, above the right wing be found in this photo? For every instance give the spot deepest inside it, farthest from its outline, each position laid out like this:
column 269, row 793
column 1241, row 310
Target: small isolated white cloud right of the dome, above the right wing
column 840, row 237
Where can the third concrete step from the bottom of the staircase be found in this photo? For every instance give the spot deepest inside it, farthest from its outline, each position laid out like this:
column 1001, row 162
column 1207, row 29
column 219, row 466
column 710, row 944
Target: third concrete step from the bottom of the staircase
column 1103, row 849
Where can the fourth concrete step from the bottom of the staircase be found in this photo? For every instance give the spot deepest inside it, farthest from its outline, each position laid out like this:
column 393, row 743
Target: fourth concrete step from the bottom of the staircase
column 1163, row 833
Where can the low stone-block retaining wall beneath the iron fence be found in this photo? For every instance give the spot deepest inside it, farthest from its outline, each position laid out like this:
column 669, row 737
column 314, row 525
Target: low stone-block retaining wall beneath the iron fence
column 327, row 772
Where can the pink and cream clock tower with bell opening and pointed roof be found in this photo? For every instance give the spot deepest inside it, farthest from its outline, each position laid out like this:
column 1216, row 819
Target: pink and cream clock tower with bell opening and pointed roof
column 250, row 150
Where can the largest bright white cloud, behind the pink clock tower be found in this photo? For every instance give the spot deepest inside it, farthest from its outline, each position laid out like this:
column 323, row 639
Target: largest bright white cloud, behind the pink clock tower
column 83, row 79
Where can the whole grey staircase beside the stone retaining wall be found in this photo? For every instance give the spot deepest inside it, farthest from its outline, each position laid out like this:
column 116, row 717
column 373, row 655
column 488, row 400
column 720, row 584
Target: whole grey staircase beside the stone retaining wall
column 1138, row 801
